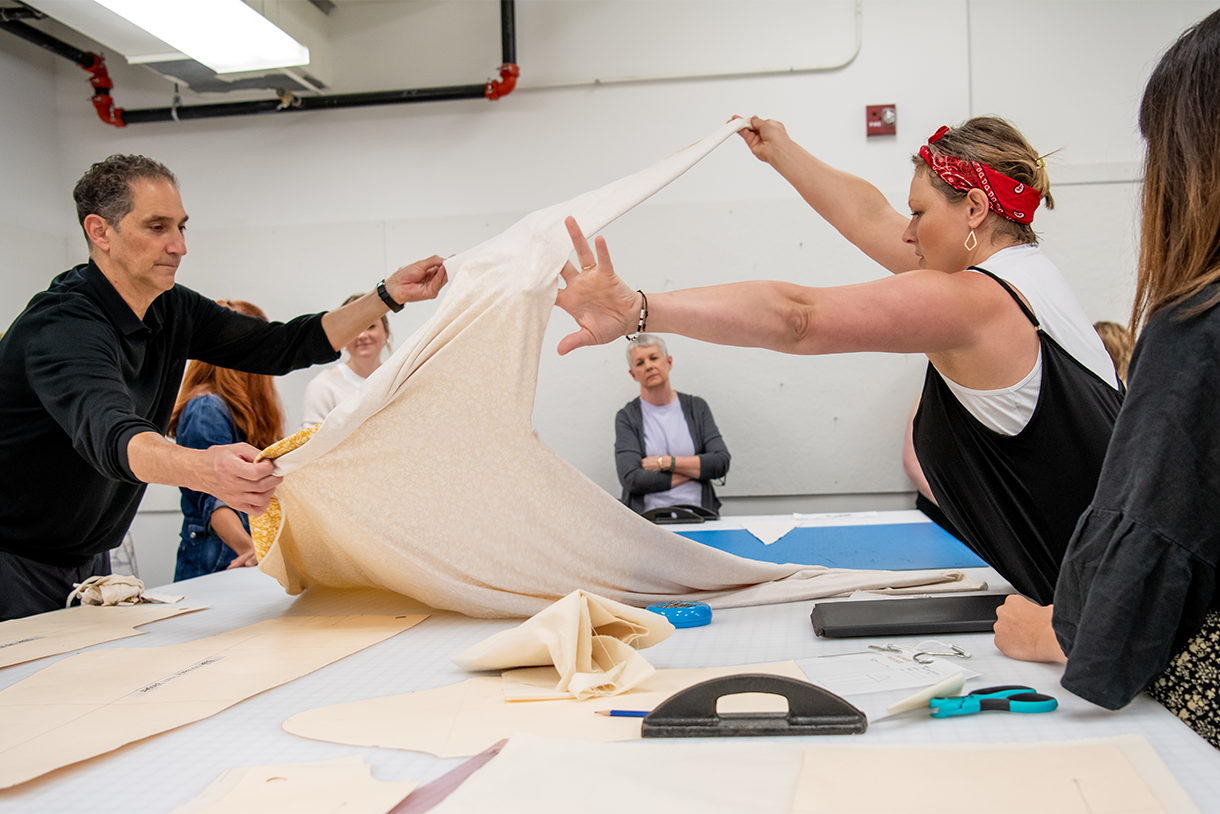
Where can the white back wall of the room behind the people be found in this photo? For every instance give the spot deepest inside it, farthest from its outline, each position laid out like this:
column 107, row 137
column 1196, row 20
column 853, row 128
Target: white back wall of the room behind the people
column 296, row 212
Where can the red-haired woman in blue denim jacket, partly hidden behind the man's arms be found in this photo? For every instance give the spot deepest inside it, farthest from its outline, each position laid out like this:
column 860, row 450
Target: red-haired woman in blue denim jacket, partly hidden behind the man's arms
column 218, row 406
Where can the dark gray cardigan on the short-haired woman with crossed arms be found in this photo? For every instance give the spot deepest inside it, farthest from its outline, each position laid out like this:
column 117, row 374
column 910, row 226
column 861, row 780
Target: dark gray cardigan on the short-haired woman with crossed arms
column 629, row 452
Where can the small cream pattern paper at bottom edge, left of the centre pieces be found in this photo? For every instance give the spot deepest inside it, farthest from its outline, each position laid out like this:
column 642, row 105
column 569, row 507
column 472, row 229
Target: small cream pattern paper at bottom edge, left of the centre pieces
column 341, row 787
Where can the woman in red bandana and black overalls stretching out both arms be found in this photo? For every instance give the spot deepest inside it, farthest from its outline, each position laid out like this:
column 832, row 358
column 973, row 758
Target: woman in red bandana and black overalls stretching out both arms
column 1021, row 396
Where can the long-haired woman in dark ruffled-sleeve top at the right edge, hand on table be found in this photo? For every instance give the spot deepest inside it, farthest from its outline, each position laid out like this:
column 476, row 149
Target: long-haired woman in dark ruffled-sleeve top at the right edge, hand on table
column 1138, row 605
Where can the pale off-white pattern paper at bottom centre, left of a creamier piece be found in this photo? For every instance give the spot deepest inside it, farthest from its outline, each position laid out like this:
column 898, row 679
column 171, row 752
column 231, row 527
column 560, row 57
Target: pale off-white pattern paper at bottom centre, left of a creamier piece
column 536, row 776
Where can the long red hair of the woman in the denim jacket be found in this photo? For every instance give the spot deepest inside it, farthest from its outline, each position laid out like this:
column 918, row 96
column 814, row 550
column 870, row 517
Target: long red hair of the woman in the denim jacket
column 252, row 398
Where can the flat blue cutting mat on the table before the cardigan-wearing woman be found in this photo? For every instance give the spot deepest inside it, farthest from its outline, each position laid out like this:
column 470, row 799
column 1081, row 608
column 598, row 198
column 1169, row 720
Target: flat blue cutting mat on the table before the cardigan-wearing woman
column 899, row 547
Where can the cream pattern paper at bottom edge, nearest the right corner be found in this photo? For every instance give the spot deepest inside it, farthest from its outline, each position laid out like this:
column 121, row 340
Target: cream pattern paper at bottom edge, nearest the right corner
column 1014, row 779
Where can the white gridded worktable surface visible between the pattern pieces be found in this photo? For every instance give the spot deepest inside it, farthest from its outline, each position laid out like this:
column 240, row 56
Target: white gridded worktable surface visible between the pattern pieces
column 168, row 771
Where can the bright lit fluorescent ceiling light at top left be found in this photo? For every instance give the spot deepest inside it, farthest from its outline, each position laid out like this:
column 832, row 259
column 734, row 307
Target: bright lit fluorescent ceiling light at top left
column 228, row 36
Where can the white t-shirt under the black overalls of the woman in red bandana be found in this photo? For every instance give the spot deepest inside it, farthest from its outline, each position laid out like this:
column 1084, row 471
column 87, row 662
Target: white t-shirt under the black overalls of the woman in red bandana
column 1029, row 272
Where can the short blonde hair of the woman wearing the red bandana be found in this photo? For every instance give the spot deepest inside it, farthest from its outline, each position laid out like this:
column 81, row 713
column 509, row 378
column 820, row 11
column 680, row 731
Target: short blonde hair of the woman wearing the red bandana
column 992, row 141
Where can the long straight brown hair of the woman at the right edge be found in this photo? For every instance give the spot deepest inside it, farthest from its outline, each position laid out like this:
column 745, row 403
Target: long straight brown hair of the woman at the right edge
column 1180, row 120
